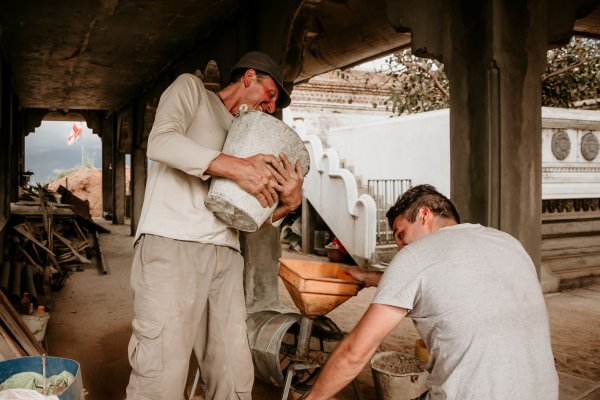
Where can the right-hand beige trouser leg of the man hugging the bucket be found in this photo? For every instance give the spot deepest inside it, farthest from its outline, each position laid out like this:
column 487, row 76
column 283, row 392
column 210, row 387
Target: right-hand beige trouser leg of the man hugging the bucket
column 223, row 354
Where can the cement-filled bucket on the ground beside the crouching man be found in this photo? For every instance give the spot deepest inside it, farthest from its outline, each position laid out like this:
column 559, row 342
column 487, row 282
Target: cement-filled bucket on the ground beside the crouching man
column 390, row 385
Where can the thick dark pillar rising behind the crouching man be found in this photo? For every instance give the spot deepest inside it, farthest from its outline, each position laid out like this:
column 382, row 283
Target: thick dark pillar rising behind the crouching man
column 494, row 52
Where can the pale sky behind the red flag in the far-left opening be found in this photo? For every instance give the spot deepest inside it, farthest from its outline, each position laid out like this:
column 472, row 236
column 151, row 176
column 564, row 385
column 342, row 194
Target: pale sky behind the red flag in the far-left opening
column 47, row 153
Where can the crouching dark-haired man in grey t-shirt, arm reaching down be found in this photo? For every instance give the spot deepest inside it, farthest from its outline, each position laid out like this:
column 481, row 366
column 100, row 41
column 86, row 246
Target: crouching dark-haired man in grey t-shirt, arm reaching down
column 474, row 298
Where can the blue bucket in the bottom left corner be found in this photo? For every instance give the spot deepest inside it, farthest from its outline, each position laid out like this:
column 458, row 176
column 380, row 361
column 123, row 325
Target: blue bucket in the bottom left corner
column 54, row 366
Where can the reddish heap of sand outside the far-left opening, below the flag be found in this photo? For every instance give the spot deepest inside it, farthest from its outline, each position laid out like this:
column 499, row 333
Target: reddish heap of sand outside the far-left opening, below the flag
column 85, row 183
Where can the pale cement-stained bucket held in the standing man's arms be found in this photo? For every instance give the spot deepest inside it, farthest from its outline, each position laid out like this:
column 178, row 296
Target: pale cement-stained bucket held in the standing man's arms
column 251, row 133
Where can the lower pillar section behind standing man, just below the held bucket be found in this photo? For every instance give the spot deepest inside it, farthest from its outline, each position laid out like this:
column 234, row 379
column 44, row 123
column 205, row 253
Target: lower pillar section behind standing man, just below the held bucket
column 261, row 251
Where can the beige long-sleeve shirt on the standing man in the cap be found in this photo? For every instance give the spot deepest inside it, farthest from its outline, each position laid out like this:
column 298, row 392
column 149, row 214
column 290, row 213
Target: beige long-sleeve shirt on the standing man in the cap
column 189, row 130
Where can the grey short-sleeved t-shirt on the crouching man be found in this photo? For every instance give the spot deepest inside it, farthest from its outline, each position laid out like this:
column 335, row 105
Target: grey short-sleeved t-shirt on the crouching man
column 474, row 298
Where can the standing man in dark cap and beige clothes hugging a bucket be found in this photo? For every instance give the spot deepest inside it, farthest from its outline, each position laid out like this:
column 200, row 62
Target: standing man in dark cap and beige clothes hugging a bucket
column 187, row 272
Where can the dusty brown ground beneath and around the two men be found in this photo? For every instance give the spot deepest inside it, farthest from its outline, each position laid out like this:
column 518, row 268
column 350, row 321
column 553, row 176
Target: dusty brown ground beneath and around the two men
column 91, row 323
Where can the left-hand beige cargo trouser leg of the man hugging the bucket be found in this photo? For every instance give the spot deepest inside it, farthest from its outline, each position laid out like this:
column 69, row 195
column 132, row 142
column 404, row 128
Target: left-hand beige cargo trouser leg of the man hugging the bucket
column 171, row 281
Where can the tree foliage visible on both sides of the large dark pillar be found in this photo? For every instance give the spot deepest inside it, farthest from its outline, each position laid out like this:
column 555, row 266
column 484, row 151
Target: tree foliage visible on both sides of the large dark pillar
column 571, row 79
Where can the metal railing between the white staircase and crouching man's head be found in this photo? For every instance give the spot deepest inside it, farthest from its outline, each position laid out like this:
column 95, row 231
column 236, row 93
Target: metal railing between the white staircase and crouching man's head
column 385, row 192
